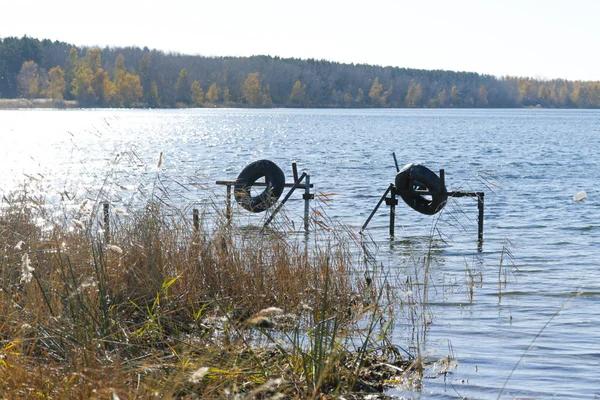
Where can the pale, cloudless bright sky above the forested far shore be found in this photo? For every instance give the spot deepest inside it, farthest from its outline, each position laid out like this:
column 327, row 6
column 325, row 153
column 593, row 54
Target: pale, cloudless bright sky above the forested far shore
column 531, row 38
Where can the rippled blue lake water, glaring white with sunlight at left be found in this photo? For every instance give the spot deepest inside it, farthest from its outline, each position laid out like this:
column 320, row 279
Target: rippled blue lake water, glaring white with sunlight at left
column 545, row 326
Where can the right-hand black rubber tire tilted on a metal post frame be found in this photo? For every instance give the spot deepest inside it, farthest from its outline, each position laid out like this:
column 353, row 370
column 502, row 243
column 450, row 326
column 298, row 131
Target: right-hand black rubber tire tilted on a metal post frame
column 417, row 177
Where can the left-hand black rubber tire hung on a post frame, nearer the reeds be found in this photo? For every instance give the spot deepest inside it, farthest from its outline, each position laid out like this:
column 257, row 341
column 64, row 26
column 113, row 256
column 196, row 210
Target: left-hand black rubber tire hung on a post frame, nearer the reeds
column 275, row 184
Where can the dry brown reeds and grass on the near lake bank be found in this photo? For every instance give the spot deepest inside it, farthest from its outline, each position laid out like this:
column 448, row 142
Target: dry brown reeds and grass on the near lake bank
column 158, row 309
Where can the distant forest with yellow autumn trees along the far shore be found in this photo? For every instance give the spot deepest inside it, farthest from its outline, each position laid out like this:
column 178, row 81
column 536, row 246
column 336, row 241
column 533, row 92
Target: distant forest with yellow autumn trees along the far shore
column 136, row 77
